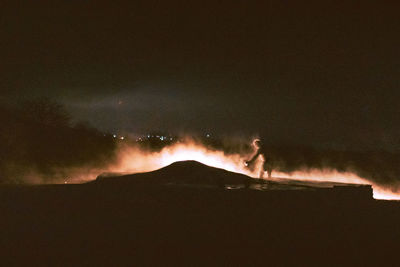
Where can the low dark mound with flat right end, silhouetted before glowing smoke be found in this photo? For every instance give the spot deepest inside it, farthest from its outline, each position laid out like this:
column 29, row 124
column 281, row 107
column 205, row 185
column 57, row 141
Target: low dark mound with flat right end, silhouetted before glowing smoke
column 195, row 174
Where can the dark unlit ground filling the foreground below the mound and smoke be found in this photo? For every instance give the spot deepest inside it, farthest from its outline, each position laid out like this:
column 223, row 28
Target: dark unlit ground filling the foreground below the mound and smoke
column 117, row 224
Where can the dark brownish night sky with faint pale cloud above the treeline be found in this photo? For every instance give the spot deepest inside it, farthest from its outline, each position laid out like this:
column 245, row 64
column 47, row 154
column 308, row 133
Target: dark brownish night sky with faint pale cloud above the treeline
column 325, row 73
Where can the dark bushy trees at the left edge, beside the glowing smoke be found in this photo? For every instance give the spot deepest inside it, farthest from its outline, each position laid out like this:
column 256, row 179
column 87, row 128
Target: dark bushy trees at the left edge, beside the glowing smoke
column 39, row 137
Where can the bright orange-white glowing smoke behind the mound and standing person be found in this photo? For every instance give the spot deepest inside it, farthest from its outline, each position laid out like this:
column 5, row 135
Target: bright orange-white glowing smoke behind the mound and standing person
column 134, row 160
